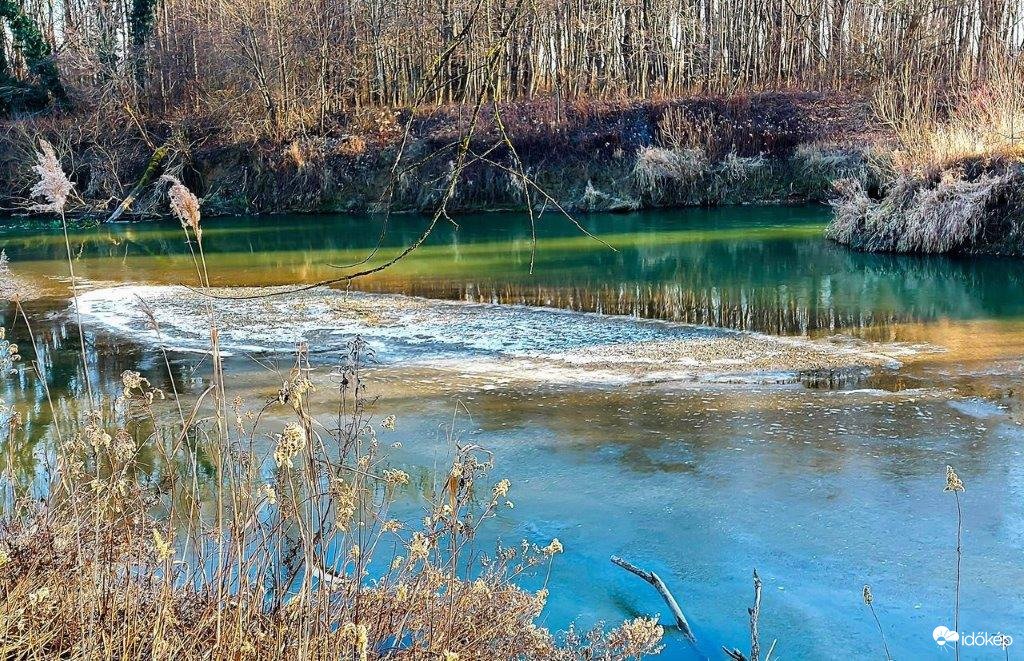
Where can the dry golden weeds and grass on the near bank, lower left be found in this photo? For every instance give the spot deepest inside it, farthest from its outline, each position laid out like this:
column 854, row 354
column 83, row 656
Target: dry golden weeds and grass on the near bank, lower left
column 154, row 543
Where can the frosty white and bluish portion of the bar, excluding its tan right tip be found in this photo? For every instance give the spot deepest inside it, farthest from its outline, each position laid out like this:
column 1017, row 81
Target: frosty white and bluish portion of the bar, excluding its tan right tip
column 327, row 320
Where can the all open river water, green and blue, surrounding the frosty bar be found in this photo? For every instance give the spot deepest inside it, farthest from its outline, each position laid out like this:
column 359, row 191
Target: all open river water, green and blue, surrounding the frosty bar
column 822, row 488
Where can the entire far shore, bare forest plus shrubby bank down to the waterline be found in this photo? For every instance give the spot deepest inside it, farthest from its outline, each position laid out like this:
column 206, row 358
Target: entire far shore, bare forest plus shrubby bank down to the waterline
column 888, row 109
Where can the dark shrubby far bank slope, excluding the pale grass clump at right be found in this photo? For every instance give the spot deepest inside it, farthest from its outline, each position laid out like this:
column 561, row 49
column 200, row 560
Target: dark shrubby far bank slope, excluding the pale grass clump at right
column 587, row 156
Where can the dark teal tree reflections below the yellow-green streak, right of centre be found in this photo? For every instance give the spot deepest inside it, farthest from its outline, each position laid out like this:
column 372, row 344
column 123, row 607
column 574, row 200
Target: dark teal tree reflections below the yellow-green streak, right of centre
column 834, row 291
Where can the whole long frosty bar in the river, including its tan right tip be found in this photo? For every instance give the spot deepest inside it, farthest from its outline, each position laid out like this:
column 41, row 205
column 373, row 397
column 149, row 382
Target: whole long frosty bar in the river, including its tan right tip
column 543, row 343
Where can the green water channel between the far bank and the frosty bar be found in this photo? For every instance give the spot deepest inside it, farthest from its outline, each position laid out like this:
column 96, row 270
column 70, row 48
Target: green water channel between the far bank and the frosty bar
column 761, row 269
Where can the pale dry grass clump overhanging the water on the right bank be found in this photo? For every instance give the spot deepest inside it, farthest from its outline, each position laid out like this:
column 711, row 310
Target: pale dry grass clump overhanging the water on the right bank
column 954, row 181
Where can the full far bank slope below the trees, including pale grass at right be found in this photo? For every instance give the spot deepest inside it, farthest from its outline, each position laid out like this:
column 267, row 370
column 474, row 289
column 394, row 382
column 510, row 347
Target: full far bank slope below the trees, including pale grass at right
column 899, row 182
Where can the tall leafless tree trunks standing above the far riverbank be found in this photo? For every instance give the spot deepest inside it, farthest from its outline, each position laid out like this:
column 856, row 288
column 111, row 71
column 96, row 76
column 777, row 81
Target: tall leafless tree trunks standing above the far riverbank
column 274, row 66
